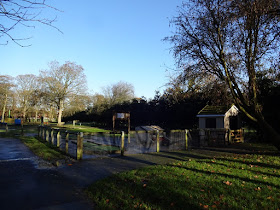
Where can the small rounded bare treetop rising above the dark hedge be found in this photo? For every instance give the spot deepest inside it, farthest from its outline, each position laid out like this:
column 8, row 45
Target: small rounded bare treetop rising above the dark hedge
column 118, row 93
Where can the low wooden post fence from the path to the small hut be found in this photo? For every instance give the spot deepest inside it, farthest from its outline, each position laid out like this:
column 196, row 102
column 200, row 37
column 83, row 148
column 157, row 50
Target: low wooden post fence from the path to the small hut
column 82, row 145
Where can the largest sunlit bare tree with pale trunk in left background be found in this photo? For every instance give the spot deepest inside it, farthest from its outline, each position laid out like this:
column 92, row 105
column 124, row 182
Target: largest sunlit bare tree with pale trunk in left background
column 61, row 82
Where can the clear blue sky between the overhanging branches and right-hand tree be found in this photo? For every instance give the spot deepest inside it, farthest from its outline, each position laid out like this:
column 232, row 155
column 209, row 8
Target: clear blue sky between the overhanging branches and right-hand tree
column 114, row 40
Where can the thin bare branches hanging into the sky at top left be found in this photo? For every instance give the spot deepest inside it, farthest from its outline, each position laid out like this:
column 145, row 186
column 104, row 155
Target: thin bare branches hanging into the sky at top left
column 22, row 13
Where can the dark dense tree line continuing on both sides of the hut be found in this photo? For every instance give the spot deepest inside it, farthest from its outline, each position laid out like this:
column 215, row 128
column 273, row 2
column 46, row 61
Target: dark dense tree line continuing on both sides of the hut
column 178, row 105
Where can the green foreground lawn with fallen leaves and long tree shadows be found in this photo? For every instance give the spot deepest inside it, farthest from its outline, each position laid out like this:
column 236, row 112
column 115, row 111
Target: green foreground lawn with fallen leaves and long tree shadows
column 205, row 179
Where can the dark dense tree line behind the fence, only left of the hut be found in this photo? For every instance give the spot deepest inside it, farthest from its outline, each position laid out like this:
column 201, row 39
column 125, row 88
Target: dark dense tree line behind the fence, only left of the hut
column 175, row 108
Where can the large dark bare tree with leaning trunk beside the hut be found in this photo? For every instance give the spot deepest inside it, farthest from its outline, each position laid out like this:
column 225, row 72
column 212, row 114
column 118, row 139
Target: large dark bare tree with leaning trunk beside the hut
column 232, row 41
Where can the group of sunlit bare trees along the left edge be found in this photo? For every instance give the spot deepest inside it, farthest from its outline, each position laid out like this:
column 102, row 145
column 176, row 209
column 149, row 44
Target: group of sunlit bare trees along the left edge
column 61, row 88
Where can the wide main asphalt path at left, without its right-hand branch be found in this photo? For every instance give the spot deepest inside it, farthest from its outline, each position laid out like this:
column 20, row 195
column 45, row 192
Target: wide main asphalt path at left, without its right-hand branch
column 26, row 183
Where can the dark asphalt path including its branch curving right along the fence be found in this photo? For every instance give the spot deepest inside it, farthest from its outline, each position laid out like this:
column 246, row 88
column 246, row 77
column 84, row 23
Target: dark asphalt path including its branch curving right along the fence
column 26, row 183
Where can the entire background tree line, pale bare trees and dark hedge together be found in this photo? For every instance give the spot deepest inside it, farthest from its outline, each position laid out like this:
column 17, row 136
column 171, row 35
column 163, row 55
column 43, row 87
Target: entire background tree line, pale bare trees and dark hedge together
column 61, row 91
